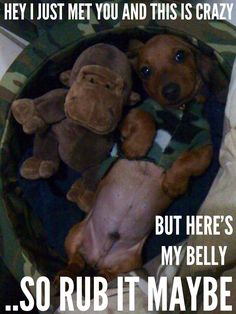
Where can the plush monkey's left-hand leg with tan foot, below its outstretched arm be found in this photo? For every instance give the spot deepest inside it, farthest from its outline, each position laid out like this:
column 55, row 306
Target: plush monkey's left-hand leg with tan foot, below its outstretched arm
column 45, row 160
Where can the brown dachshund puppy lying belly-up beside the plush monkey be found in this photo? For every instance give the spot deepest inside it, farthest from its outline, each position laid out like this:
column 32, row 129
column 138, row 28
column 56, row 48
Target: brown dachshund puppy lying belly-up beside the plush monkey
column 111, row 238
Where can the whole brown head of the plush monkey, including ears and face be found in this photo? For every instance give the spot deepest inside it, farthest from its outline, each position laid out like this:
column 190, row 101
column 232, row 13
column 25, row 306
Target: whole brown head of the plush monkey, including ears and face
column 100, row 85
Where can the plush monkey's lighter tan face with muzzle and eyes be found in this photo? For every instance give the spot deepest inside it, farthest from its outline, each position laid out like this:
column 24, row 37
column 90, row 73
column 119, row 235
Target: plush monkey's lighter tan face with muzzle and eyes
column 95, row 99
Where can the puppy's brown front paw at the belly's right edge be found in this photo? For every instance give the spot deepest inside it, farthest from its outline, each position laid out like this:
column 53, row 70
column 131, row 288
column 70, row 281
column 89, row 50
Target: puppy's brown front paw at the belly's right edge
column 174, row 184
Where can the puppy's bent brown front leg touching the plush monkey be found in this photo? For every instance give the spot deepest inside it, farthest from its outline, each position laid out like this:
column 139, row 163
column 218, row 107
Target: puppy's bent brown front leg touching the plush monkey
column 138, row 131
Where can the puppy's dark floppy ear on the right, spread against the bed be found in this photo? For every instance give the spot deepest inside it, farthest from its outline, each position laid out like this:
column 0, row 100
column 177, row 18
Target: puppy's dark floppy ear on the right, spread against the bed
column 212, row 75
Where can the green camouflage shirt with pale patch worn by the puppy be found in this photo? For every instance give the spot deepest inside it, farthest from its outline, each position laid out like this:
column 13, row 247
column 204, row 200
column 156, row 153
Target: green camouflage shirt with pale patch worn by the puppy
column 179, row 130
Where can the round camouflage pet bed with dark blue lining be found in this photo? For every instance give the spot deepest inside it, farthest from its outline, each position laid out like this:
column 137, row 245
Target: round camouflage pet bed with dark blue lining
column 33, row 215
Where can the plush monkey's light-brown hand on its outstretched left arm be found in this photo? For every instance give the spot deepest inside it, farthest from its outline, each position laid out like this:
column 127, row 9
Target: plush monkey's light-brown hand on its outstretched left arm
column 25, row 113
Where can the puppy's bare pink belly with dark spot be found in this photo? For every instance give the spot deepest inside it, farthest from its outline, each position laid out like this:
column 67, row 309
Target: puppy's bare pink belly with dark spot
column 129, row 197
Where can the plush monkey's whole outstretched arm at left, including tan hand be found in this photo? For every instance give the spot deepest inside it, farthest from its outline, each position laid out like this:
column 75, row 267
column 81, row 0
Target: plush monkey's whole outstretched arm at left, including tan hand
column 36, row 114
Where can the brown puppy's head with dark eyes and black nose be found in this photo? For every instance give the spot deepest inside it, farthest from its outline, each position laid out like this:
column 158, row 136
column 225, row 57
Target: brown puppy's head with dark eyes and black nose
column 171, row 69
